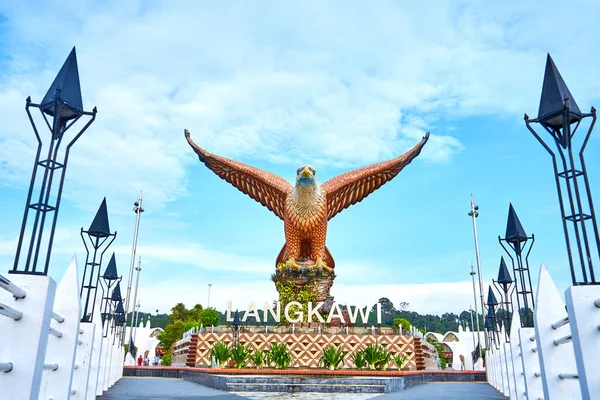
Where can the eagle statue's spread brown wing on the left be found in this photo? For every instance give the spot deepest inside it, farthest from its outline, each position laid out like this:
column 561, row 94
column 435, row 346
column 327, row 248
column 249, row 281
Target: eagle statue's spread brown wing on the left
column 268, row 189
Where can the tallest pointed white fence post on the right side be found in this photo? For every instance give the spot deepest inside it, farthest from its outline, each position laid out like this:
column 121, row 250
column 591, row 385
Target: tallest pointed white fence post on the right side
column 557, row 359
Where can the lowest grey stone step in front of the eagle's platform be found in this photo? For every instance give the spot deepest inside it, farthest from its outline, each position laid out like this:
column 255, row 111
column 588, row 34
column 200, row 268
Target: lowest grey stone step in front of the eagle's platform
column 304, row 387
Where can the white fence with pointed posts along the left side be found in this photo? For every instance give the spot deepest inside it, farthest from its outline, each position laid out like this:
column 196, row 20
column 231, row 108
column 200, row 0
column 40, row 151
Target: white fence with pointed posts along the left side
column 45, row 352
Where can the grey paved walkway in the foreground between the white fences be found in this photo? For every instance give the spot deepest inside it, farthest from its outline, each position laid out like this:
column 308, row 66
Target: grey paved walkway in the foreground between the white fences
column 178, row 389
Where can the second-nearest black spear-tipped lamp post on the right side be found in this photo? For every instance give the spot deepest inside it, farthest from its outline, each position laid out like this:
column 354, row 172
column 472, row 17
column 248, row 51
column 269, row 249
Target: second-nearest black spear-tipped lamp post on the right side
column 517, row 241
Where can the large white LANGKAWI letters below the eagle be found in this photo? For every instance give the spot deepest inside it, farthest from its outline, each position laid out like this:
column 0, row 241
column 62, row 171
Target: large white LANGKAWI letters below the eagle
column 297, row 314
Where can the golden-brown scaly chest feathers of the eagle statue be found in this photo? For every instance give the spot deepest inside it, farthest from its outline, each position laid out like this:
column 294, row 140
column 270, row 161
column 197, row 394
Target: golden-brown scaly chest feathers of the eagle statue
column 306, row 209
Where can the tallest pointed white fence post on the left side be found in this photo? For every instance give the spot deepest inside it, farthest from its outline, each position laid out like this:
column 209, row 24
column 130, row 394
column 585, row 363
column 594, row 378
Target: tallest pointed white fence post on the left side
column 62, row 342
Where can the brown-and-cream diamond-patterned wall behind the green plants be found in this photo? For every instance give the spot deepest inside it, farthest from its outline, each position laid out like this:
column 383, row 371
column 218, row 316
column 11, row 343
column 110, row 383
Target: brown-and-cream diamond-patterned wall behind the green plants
column 306, row 349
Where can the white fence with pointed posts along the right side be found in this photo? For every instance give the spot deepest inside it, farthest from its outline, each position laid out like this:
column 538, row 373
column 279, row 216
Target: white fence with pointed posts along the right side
column 559, row 358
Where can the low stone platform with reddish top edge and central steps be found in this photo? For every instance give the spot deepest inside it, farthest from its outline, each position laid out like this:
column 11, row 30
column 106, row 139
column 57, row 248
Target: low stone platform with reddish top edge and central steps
column 298, row 381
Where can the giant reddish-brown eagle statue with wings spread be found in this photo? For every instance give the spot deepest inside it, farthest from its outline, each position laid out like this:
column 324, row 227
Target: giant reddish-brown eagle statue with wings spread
column 305, row 207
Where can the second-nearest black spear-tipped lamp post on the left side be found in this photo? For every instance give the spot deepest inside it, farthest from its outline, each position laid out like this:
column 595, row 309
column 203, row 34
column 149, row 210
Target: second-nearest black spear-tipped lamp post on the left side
column 98, row 235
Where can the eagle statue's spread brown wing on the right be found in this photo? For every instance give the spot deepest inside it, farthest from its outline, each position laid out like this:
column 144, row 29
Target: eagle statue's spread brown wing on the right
column 351, row 187
